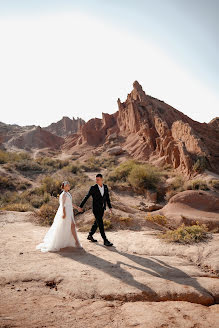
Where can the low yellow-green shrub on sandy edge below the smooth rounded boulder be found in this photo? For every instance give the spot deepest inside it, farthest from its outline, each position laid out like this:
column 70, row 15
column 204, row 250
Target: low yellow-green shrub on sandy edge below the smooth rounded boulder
column 186, row 234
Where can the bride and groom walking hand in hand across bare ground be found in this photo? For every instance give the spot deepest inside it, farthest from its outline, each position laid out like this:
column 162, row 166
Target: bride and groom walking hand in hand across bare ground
column 63, row 232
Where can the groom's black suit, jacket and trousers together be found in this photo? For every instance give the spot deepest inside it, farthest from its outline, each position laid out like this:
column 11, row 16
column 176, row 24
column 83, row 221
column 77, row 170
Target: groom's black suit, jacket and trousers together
column 99, row 205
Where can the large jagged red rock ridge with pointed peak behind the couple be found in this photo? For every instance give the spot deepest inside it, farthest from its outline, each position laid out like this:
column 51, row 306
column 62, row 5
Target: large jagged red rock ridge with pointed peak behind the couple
column 153, row 130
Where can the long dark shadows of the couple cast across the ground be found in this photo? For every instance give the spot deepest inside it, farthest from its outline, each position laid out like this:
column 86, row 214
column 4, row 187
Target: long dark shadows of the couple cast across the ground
column 151, row 266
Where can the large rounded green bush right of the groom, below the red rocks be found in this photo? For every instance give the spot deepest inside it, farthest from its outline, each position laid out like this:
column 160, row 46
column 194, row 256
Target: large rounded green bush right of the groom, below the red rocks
column 144, row 177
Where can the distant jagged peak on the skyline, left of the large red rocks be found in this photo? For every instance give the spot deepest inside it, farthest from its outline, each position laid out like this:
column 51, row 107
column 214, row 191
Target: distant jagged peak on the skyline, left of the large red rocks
column 65, row 126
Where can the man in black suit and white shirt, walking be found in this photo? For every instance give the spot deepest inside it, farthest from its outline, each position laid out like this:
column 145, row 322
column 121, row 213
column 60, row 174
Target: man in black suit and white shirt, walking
column 100, row 195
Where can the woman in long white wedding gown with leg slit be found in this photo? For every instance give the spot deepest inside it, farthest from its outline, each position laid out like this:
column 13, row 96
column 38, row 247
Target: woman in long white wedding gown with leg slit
column 63, row 231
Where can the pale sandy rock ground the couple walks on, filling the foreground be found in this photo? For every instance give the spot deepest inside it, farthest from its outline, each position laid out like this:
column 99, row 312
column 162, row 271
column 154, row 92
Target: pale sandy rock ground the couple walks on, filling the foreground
column 141, row 282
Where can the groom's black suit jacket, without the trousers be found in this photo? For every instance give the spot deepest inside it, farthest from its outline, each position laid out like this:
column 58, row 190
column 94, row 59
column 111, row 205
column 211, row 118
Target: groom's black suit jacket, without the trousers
column 99, row 201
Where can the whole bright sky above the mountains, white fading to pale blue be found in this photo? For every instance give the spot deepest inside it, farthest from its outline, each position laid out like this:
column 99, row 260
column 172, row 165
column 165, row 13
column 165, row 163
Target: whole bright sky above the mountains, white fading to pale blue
column 76, row 58
